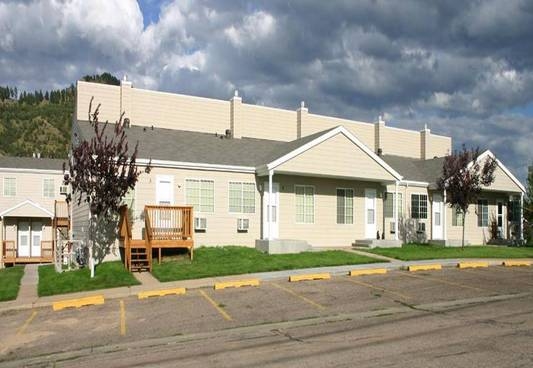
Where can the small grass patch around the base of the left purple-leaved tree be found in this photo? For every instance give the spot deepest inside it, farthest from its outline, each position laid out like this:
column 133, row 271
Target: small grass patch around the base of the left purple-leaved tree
column 107, row 275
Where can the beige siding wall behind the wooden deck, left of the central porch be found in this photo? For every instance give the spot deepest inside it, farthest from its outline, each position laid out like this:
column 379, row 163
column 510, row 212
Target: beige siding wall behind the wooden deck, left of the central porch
column 221, row 225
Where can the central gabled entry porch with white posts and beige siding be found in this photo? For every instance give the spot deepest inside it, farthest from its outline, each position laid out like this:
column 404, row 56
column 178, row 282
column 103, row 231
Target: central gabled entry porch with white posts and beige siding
column 326, row 193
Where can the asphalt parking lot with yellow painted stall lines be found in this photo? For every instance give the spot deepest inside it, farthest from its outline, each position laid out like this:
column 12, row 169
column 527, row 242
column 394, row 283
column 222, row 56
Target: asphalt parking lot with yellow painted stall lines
column 40, row 332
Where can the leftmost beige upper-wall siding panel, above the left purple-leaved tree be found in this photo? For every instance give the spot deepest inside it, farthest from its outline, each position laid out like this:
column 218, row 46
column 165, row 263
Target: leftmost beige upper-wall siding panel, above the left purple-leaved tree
column 107, row 96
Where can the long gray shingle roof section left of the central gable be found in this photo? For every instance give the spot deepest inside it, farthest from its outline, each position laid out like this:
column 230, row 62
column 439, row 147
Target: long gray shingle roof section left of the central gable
column 197, row 147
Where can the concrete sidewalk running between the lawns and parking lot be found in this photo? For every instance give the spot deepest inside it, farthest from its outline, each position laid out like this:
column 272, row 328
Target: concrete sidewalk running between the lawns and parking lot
column 29, row 300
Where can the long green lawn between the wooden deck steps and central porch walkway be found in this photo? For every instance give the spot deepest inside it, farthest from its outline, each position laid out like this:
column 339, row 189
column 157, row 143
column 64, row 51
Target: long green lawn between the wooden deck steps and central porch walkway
column 232, row 260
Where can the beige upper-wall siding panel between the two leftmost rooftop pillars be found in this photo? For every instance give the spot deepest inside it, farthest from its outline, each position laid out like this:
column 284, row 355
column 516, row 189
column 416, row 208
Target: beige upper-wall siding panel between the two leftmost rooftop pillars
column 173, row 111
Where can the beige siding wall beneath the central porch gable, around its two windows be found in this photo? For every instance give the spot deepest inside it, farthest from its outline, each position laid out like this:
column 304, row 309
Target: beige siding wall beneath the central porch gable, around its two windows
column 325, row 232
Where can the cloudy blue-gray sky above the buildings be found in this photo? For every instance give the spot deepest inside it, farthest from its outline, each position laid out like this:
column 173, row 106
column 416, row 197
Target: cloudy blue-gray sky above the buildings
column 464, row 68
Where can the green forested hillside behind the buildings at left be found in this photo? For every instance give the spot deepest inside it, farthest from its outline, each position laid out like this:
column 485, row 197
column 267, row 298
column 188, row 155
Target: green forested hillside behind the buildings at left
column 39, row 121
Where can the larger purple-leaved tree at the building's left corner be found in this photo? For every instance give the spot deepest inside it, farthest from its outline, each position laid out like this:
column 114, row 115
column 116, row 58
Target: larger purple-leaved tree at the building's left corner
column 101, row 171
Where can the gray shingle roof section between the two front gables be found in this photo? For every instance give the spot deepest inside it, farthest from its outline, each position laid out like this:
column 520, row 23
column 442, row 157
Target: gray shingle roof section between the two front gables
column 416, row 169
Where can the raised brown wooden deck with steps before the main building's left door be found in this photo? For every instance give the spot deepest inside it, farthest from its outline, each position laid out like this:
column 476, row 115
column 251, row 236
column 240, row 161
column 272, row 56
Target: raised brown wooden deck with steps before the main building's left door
column 169, row 227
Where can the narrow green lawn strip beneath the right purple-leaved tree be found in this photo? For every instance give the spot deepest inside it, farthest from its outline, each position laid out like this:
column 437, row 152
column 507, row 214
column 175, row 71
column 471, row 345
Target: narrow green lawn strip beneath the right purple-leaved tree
column 413, row 252
